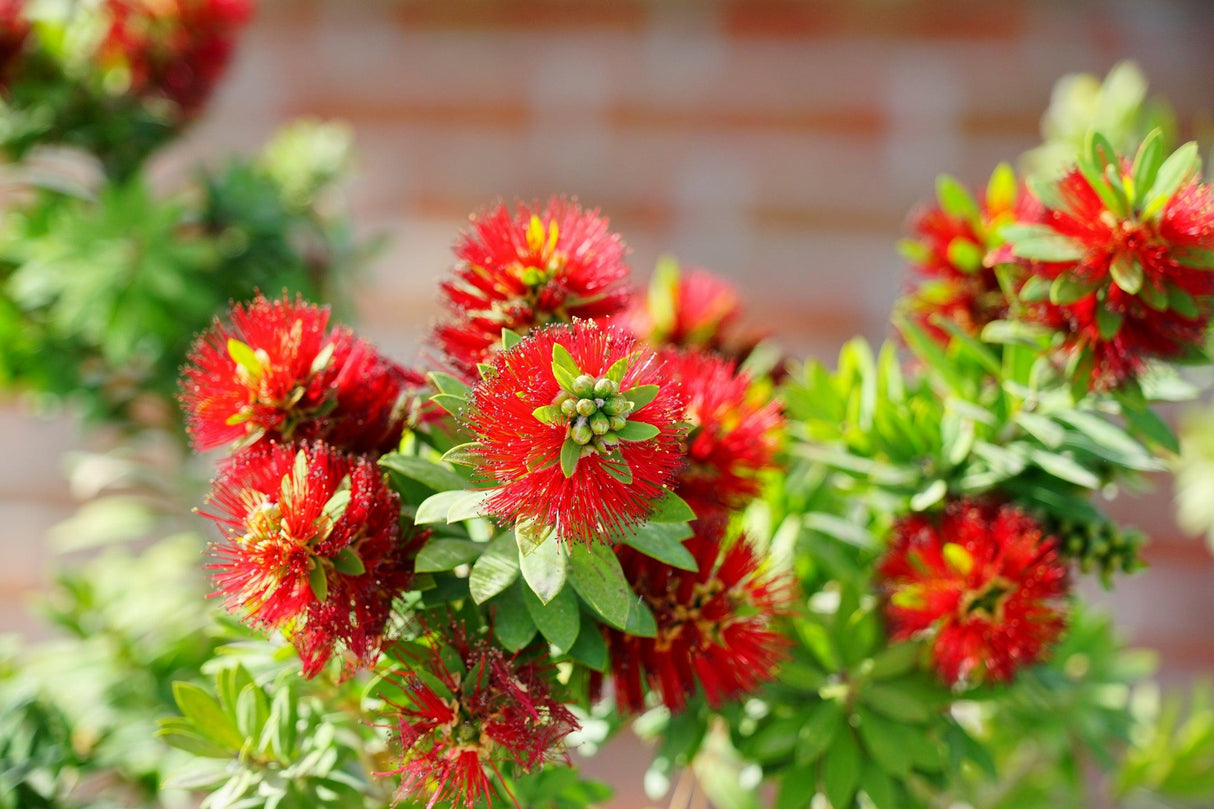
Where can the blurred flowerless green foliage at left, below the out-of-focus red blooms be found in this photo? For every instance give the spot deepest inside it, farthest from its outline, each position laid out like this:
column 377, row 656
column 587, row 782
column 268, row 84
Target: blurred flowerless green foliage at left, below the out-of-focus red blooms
column 103, row 290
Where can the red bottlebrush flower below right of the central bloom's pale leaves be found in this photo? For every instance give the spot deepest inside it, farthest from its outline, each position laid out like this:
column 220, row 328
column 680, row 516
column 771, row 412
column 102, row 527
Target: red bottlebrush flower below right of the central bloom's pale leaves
column 714, row 625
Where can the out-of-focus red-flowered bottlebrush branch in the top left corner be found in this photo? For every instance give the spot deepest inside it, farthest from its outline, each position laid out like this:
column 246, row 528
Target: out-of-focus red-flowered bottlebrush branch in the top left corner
column 117, row 78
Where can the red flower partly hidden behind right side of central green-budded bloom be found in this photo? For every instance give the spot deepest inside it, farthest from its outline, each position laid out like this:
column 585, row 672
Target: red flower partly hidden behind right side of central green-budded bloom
column 735, row 431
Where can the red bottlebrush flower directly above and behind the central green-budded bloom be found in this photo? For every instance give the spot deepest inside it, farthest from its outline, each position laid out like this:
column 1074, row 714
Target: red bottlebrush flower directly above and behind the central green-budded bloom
column 525, row 270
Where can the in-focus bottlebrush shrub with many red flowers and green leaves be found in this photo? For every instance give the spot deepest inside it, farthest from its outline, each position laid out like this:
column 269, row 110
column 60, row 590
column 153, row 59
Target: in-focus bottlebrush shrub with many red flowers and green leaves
column 854, row 586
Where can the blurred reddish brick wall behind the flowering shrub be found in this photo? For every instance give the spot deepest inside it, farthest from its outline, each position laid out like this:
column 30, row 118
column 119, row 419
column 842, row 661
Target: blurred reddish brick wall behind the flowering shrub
column 780, row 144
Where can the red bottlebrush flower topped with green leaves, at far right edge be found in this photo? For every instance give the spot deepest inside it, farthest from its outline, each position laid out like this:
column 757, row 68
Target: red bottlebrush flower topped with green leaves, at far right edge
column 1122, row 281
